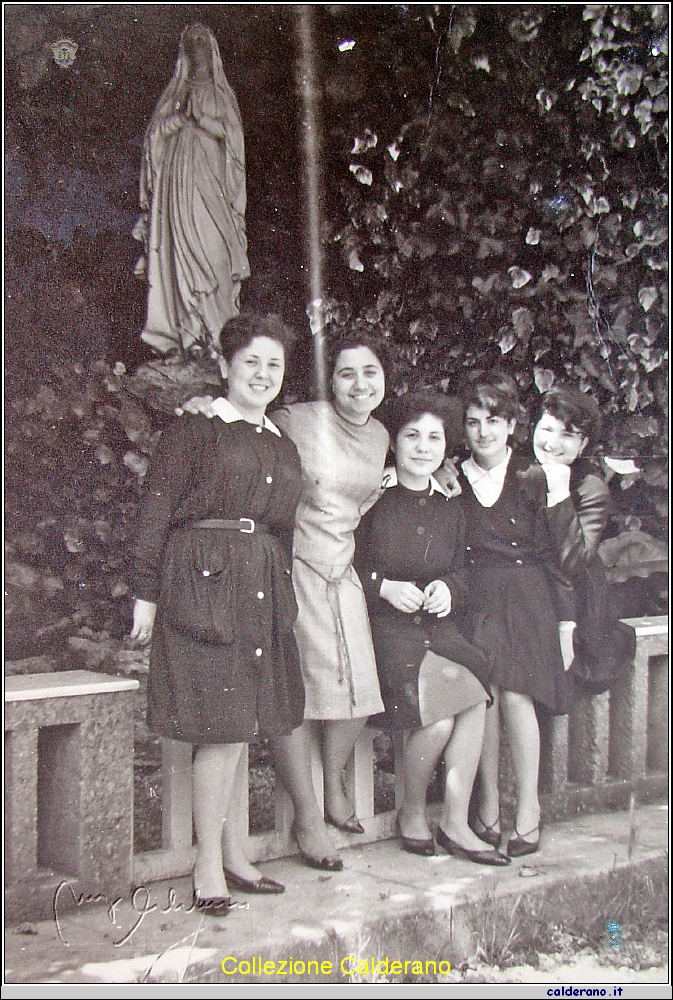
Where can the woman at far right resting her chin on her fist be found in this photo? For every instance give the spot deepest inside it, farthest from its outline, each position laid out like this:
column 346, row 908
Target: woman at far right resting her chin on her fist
column 577, row 505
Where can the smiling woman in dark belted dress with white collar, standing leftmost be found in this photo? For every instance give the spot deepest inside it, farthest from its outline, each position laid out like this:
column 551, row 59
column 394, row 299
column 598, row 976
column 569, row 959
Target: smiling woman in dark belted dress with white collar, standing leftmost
column 214, row 592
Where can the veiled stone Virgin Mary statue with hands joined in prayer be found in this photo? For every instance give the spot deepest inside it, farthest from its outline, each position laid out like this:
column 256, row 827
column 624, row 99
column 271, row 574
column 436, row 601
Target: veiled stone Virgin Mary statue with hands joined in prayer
column 192, row 185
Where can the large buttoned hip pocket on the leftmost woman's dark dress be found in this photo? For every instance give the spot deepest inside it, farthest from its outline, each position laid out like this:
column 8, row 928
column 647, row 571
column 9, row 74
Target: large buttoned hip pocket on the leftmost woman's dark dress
column 197, row 592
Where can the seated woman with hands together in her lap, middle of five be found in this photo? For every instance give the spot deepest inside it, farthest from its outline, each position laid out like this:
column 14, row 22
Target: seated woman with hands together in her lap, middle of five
column 409, row 556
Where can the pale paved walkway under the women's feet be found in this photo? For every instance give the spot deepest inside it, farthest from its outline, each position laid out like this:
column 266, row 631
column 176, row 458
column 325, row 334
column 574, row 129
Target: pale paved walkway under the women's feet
column 385, row 905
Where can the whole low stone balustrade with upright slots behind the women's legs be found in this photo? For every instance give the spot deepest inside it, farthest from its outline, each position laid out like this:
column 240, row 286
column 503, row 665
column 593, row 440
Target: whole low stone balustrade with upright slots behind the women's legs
column 69, row 778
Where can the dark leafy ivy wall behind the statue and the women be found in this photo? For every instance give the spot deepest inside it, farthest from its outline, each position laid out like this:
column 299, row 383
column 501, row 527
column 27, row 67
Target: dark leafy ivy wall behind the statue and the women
column 494, row 192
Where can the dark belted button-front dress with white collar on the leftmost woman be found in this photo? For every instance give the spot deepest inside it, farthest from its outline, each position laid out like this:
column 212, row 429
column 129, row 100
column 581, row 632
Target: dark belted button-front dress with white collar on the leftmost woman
column 247, row 681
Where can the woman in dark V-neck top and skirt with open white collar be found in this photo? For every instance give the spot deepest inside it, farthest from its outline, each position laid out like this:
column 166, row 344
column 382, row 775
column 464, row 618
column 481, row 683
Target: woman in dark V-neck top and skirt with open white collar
column 512, row 576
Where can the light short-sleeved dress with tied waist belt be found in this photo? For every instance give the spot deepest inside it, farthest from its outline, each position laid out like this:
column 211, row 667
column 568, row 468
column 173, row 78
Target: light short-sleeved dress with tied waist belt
column 341, row 467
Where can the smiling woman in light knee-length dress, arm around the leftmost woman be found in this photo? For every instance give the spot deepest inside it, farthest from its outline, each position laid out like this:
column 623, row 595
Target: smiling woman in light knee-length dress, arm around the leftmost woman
column 342, row 450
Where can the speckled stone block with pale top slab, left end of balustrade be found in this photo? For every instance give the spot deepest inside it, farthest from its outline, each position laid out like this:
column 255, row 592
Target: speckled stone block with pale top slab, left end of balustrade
column 69, row 789
